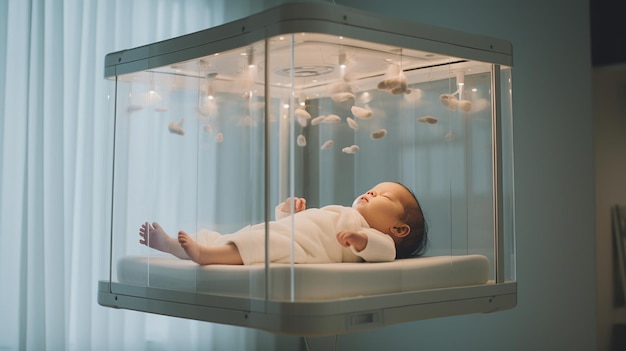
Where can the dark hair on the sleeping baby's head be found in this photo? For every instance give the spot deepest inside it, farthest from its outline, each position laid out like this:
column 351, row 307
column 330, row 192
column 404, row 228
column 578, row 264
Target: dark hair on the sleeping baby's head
column 414, row 244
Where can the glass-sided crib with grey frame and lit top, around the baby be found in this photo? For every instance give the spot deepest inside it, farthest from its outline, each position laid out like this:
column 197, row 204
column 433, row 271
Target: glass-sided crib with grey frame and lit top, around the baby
column 215, row 129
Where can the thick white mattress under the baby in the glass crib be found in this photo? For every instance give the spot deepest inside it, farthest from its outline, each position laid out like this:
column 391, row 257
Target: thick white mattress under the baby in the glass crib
column 312, row 281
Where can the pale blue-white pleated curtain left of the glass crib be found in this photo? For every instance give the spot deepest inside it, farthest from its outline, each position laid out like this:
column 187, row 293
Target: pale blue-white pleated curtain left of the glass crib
column 55, row 147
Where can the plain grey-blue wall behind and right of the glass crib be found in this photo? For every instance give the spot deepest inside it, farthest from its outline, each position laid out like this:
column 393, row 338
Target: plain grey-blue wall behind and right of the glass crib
column 553, row 173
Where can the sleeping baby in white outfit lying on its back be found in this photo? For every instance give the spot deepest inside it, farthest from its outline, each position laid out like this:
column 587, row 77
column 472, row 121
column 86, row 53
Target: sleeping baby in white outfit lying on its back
column 383, row 224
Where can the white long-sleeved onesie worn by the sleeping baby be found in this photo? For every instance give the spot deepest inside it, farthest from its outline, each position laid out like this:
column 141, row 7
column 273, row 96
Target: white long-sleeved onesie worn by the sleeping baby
column 315, row 241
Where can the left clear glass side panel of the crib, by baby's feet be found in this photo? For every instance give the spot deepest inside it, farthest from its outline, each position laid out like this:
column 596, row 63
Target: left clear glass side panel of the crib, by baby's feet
column 189, row 154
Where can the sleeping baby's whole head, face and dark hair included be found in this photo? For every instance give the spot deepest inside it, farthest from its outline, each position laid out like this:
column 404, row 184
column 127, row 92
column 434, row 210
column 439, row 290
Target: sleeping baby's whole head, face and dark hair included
column 393, row 209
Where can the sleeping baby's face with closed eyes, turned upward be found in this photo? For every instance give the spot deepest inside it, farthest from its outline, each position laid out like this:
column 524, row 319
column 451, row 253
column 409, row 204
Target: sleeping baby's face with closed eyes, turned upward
column 383, row 205
